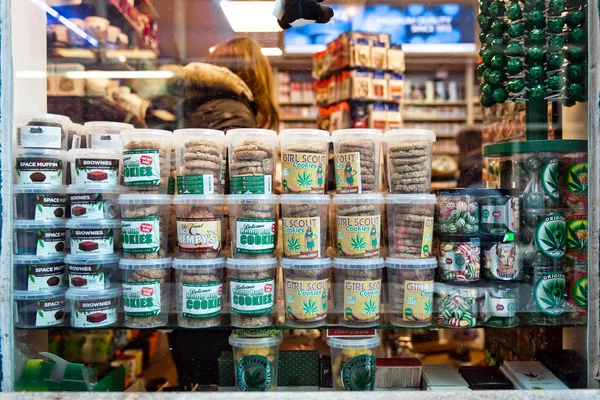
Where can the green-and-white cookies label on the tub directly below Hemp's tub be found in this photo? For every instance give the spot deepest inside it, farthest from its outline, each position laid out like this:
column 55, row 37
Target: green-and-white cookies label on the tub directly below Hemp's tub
column 202, row 300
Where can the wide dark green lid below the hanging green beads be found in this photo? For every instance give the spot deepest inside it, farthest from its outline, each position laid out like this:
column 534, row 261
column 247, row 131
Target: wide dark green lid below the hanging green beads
column 535, row 146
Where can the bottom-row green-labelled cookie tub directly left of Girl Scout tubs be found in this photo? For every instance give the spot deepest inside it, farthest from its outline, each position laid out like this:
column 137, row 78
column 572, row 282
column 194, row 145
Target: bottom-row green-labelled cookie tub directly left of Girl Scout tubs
column 252, row 291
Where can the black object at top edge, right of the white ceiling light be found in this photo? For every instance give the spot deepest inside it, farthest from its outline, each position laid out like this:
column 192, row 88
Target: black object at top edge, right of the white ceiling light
column 301, row 12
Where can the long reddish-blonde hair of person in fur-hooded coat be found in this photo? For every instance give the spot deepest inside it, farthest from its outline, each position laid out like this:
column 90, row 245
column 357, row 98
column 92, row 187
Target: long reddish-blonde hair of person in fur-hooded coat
column 244, row 58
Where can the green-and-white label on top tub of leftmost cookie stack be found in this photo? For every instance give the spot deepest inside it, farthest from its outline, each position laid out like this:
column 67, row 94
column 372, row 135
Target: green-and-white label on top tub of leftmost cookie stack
column 141, row 168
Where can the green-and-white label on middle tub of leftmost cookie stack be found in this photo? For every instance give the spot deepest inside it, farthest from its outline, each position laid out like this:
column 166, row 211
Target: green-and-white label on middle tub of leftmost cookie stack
column 141, row 235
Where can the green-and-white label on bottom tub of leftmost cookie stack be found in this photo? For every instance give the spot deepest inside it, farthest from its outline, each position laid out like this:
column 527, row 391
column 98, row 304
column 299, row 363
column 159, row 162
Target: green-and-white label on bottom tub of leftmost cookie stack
column 141, row 299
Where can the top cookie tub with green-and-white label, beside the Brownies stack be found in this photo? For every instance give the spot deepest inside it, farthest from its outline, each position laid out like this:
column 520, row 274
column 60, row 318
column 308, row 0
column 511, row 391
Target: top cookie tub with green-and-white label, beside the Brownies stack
column 146, row 160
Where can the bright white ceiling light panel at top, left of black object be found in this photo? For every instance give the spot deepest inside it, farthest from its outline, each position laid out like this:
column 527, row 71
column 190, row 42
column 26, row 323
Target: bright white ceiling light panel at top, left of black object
column 250, row 16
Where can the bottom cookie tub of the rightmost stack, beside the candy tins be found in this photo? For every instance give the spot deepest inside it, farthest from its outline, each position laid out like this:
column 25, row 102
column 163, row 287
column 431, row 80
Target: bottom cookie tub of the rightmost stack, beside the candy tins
column 410, row 291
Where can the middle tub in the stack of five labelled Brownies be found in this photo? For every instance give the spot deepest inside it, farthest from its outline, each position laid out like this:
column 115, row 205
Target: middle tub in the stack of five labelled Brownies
column 95, row 236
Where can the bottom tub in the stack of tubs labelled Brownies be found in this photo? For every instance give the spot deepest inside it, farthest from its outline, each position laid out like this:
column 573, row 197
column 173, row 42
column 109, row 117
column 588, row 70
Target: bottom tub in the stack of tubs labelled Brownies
column 94, row 308
